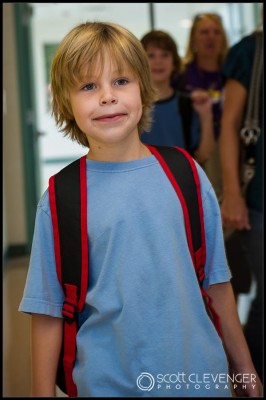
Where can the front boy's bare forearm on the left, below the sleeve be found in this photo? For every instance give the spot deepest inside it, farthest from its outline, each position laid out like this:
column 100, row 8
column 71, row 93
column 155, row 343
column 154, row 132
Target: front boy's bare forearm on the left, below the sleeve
column 46, row 341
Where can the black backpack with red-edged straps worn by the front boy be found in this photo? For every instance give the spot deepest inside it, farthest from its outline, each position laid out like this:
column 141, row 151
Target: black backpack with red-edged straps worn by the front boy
column 69, row 219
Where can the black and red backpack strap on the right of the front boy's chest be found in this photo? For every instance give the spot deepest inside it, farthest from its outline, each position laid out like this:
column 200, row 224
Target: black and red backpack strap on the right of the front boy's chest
column 181, row 170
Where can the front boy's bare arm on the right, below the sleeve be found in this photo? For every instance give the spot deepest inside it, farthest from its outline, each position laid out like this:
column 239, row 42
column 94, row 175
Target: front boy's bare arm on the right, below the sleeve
column 234, row 342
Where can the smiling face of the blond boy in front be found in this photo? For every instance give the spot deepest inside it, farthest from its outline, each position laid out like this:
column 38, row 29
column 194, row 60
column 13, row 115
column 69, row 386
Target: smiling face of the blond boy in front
column 107, row 107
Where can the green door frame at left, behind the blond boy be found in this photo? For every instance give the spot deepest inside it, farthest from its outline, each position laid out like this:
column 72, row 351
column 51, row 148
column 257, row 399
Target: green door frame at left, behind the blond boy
column 22, row 19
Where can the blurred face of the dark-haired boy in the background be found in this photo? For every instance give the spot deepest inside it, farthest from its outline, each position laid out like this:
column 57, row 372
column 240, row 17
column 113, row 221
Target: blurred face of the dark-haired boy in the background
column 161, row 64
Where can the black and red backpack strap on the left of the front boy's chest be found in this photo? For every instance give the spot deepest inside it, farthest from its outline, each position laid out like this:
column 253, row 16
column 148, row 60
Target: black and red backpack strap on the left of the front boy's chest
column 68, row 203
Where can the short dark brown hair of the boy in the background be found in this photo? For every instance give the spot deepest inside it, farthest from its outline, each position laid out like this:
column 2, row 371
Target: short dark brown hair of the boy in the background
column 164, row 41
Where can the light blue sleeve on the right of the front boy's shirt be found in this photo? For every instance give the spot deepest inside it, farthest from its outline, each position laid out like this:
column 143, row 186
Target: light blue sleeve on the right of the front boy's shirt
column 216, row 267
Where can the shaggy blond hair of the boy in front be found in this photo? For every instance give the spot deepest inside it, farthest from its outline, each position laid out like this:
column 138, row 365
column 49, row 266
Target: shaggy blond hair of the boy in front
column 76, row 57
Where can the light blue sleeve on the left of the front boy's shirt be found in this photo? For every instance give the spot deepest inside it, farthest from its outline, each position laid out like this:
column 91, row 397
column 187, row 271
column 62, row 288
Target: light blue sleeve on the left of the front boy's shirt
column 43, row 293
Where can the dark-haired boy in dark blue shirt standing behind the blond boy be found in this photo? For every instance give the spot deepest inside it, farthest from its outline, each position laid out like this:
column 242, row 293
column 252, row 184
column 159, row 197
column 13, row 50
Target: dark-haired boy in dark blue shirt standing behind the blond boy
column 179, row 120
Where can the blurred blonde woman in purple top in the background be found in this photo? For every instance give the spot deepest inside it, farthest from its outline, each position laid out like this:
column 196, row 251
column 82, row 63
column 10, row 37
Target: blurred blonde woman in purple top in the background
column 204, row 57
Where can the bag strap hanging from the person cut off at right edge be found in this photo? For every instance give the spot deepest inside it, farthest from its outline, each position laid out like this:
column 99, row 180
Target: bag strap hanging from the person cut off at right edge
column 251, row 130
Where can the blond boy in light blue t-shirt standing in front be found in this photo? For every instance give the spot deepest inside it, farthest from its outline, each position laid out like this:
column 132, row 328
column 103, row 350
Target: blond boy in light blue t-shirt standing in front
column 144, row 320
